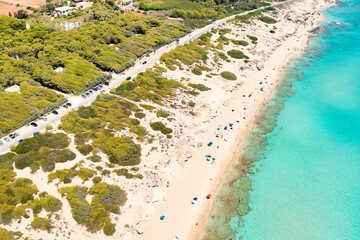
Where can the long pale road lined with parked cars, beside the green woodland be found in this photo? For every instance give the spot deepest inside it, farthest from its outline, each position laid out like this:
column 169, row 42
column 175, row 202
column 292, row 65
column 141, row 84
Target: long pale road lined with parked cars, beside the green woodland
column 76, row 101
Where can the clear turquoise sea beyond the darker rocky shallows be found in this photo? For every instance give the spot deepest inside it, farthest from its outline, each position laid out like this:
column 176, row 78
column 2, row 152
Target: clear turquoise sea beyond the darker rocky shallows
column 308, row 183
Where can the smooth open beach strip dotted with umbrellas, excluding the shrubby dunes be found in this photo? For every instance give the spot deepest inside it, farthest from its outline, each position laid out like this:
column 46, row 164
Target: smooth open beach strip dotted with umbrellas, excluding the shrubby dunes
column 199, row 178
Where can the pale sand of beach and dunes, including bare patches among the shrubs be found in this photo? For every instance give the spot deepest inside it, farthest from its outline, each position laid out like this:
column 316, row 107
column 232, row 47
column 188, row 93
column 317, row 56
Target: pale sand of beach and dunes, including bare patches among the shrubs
column 176, row 170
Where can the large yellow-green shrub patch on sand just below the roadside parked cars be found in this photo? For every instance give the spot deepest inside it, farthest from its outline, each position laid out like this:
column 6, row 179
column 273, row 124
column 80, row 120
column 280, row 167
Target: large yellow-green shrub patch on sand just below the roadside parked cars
column 113, row 113
